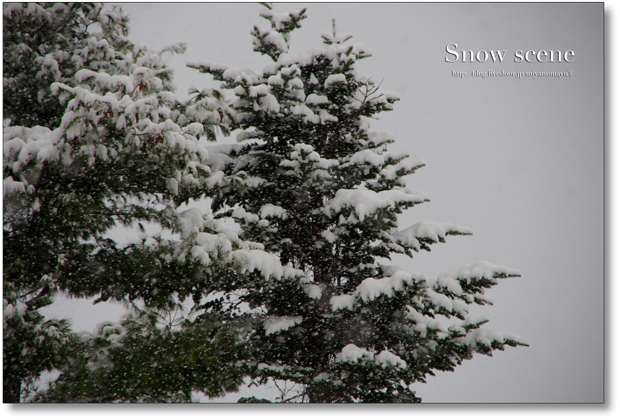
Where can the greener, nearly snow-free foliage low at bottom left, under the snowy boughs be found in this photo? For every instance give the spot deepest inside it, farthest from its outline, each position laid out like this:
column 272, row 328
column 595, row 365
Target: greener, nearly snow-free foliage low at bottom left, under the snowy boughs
column 141, row 360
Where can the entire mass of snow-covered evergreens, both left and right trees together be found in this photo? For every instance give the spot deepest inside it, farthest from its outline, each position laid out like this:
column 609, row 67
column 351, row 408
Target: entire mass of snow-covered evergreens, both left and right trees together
column 299, row 292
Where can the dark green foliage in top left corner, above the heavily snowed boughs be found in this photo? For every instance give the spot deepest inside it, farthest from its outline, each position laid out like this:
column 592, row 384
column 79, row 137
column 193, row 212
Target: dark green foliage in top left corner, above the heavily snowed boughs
column 37, row 40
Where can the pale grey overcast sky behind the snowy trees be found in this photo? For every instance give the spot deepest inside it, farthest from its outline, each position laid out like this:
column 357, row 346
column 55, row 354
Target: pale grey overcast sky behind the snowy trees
column 518, row 160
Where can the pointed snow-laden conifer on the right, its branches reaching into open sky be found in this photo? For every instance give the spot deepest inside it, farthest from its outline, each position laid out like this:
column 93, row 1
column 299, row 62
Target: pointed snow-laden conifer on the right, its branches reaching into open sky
column 311, row 182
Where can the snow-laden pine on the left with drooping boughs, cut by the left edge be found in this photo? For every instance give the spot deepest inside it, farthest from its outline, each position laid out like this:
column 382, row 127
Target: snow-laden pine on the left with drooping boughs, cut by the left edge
column 108, row 144
